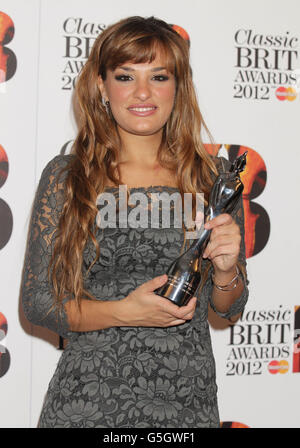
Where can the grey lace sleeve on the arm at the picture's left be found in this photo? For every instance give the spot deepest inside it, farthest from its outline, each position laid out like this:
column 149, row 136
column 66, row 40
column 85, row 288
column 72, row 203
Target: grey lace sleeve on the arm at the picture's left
column 36, row 291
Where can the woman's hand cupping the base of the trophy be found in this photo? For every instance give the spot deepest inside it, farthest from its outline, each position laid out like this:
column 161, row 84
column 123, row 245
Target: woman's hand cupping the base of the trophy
column 143, row 308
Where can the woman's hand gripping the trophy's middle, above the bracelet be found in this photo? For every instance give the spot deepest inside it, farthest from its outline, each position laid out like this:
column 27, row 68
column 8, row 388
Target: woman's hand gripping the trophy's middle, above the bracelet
column 223, row 247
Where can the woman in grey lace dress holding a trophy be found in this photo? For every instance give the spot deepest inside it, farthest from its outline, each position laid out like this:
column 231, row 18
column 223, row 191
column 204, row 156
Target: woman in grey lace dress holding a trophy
column 133, row 359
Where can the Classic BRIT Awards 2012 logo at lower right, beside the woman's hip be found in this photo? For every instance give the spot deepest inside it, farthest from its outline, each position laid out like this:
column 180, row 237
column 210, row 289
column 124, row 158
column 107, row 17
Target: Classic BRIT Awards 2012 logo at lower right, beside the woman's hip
column 265, row 341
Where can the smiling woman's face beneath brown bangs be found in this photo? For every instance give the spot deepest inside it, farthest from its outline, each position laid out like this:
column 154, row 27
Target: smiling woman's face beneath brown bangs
column 141, row 96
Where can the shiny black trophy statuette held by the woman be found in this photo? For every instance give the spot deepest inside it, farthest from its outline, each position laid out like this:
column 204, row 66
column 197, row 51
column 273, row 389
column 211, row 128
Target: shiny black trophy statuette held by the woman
column 184, row 273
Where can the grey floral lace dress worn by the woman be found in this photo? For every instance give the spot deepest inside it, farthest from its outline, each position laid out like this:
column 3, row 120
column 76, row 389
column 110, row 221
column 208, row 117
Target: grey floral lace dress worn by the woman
column 130, row 377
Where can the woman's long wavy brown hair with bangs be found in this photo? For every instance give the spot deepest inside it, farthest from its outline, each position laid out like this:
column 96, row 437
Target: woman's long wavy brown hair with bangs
column 97, row 146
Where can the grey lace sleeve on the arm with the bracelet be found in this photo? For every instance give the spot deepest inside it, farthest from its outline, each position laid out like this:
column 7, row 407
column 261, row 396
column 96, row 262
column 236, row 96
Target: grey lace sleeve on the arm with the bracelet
column 238, row 215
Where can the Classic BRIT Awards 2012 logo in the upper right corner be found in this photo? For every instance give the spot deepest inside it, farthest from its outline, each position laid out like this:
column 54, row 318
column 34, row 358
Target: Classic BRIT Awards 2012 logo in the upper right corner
column 265, row 65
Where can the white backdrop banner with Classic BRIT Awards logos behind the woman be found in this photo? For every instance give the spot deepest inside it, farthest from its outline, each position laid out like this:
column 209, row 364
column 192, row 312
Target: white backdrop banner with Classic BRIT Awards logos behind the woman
column 246, row 69
